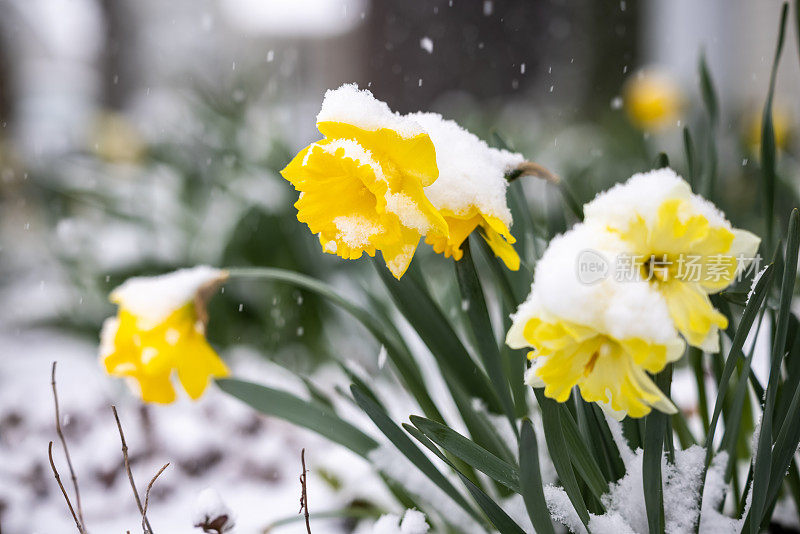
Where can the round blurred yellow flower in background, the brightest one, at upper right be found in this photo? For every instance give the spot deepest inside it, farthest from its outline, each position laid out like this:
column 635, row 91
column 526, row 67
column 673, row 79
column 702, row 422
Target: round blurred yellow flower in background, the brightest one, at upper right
column 653, row 100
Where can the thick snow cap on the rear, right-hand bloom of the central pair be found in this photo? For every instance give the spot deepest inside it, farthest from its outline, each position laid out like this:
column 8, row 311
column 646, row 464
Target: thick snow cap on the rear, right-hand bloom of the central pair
column 471, row 173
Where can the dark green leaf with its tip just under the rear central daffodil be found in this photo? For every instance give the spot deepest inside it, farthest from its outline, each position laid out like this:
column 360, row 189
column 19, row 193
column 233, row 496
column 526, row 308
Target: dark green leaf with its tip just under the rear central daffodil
column 472, row 294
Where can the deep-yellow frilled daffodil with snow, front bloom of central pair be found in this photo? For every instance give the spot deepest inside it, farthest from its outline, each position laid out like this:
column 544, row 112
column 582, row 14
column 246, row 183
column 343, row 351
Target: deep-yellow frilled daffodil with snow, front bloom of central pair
column 361, row 188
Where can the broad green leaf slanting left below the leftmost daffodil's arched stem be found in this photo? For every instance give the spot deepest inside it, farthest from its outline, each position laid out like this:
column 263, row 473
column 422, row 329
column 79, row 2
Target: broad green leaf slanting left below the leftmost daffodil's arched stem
column 312, row 416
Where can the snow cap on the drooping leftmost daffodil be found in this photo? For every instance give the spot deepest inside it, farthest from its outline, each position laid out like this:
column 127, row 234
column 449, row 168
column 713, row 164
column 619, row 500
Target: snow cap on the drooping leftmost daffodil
column 154, row 298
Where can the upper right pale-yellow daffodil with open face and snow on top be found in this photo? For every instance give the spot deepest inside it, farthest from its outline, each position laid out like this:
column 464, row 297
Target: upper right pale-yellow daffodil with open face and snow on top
column 678, row 242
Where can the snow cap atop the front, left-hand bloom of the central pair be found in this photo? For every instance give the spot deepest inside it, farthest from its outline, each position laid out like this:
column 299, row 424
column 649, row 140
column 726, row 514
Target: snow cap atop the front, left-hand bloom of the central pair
column 359, row 107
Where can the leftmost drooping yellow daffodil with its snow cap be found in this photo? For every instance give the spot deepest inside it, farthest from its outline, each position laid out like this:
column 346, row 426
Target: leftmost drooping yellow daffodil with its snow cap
column 160, row 331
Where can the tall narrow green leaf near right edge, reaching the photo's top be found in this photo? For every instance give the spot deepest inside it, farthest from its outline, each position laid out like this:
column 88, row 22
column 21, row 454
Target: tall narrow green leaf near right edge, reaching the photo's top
column 768, row 138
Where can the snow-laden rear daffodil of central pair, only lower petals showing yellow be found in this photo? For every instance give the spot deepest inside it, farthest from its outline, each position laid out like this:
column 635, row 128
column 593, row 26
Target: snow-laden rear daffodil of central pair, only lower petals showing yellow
column 471, row 190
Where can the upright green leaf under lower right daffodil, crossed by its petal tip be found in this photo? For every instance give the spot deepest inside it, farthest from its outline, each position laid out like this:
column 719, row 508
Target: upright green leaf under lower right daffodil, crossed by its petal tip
column 655, row 430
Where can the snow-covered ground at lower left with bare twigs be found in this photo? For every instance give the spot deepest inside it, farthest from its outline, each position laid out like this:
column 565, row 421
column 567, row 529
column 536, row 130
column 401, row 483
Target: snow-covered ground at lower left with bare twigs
column 217, row 442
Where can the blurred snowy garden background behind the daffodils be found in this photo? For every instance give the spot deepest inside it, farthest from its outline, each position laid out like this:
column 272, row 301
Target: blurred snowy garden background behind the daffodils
column 138, row 137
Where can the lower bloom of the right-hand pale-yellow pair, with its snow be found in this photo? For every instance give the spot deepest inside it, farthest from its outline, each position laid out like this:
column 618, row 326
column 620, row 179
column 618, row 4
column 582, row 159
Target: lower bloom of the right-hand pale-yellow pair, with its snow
column 601, row 335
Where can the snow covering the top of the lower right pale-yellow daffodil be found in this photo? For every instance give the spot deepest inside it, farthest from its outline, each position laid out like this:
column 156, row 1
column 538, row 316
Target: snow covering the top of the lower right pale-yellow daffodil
column 622, row 309
